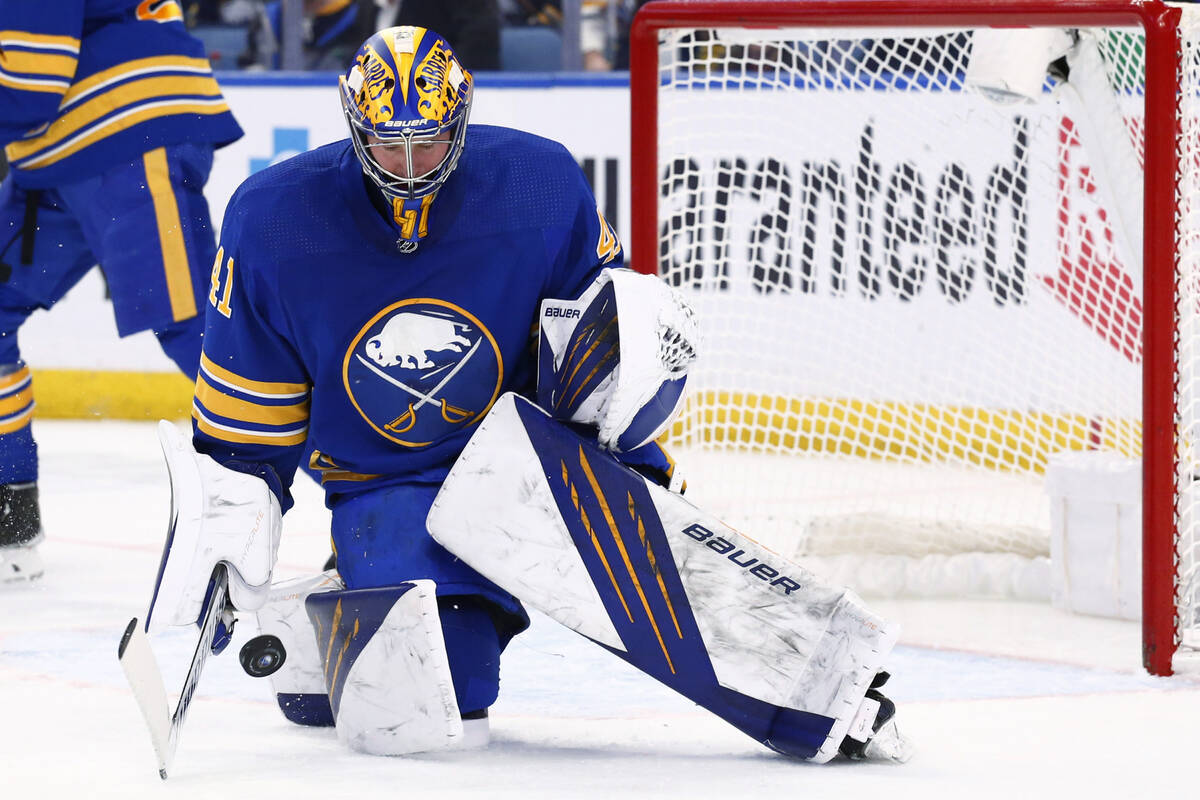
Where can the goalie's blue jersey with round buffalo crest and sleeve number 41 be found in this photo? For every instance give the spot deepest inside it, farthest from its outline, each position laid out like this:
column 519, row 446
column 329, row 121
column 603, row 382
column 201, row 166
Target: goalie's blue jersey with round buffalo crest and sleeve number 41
column 322, row 330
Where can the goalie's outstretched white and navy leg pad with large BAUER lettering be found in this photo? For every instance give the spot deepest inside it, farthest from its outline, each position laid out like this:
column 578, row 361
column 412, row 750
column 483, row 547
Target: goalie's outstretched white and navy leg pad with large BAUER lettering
column 754, row 639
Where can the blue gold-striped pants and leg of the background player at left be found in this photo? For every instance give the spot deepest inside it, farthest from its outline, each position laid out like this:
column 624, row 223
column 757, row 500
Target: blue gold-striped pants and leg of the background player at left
column 147, row 222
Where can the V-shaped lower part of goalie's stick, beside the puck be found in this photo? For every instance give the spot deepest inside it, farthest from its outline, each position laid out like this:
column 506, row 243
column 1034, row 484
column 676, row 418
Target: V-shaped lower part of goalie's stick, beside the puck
column 146, row 679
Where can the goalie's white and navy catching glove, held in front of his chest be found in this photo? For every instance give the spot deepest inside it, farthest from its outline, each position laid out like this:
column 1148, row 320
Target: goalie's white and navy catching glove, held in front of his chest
column 640, row 390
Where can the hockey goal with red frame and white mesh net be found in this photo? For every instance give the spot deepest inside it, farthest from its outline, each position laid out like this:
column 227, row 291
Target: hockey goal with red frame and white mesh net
column 923, row 270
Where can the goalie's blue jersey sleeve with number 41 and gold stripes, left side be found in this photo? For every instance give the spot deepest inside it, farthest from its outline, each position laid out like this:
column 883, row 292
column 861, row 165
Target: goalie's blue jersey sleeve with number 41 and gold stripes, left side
column 253, row 395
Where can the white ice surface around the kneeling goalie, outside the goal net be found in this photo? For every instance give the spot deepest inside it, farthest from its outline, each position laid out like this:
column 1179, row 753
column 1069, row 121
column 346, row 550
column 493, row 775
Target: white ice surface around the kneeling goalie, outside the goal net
column 1003, row 700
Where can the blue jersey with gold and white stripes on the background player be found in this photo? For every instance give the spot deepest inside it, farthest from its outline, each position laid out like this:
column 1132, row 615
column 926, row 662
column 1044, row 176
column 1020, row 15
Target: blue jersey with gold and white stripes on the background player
column 91, row 85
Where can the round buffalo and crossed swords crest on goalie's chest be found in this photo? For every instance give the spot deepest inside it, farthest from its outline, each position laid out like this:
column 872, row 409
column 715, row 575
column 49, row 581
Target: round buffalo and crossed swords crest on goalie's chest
column 421, row 370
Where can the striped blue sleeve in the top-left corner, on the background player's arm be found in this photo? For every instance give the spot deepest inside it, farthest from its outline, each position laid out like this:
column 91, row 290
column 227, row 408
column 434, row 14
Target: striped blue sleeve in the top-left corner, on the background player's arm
column 39, row 57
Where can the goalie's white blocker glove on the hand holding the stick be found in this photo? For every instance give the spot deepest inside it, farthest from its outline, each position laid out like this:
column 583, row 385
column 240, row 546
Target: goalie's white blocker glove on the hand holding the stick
column 217, row 515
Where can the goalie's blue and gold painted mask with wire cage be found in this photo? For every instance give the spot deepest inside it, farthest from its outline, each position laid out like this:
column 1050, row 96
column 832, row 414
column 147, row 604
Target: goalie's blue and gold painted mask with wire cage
column 407, row 100
